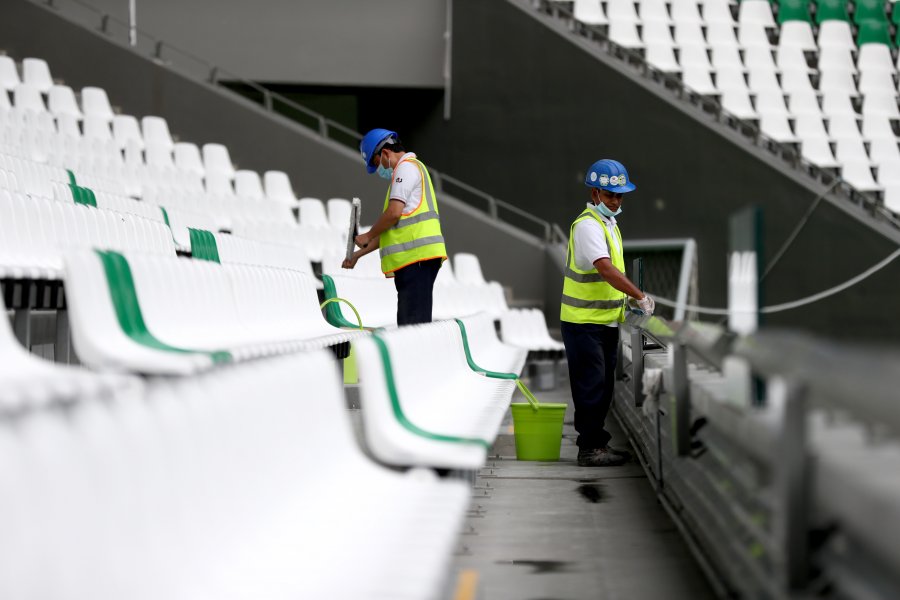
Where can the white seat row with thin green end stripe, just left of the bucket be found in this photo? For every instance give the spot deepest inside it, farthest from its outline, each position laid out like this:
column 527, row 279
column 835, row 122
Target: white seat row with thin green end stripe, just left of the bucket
column 410, row 421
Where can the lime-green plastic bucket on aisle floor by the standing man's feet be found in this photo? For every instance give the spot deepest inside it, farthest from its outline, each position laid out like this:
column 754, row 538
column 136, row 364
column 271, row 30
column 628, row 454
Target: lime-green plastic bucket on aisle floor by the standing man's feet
column 538, row 430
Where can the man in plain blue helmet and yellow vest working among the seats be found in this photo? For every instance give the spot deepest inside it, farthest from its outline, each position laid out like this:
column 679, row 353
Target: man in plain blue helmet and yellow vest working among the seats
column 408, row 232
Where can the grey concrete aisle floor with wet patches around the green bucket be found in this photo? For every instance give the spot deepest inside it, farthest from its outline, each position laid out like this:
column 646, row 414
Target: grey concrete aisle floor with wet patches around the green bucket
column 542, row 531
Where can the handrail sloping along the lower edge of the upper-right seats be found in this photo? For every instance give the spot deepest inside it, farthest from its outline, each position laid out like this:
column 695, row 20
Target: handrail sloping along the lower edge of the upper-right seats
column 787, row 151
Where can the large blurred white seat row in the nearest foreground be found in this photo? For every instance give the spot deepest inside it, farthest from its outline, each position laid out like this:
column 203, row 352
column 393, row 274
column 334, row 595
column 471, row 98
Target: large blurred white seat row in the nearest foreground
column 216, row 483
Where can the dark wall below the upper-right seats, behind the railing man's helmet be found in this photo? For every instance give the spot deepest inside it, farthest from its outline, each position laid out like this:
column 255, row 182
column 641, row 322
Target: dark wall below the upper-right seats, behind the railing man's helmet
column 532, row 109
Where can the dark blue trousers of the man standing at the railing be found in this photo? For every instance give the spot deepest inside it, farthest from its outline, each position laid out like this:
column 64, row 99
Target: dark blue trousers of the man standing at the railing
column 591, row 351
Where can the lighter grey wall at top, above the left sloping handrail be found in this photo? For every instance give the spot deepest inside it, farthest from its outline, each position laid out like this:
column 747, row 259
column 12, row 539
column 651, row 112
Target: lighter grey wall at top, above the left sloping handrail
column 333, row 42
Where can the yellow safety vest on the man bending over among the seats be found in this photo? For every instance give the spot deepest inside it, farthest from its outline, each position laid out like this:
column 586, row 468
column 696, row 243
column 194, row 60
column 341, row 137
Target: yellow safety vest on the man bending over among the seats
column 416, row 236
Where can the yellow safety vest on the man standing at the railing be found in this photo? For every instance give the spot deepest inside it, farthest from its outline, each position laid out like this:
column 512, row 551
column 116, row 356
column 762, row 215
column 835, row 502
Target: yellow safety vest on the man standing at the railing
column 587, row 298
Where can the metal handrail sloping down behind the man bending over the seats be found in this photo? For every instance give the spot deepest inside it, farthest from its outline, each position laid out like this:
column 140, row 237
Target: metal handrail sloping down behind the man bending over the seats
column 324, row 126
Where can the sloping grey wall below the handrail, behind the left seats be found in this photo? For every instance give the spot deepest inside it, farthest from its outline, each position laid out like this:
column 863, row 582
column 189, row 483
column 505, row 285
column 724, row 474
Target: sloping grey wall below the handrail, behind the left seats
column 257, row 140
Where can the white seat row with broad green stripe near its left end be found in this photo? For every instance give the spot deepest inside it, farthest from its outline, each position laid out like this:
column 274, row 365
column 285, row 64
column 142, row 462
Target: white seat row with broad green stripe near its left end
column 200, row 313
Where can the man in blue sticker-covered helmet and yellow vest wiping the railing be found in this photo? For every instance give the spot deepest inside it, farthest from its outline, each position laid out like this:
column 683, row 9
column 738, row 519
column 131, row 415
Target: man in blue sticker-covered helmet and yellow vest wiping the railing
column 595, row 294
